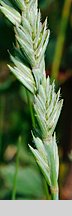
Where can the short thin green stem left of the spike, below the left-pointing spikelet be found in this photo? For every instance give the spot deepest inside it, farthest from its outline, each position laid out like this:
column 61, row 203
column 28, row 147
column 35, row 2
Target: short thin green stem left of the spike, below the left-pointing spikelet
column 31, row 109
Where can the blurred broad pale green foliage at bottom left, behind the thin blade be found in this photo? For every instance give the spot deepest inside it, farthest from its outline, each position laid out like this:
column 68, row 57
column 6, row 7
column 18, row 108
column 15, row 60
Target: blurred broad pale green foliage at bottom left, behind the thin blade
column 28, row 185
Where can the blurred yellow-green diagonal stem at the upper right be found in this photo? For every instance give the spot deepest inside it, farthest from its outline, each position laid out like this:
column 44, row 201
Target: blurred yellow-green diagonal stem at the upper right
column 61, row 39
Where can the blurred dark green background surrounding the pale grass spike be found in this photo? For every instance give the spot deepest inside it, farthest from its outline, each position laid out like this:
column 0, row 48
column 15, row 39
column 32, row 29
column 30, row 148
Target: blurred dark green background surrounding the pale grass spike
column 15, row 118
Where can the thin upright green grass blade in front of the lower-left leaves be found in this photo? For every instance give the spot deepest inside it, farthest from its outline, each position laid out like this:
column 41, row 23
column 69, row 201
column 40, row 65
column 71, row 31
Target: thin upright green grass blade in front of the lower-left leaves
column 16, row 171
